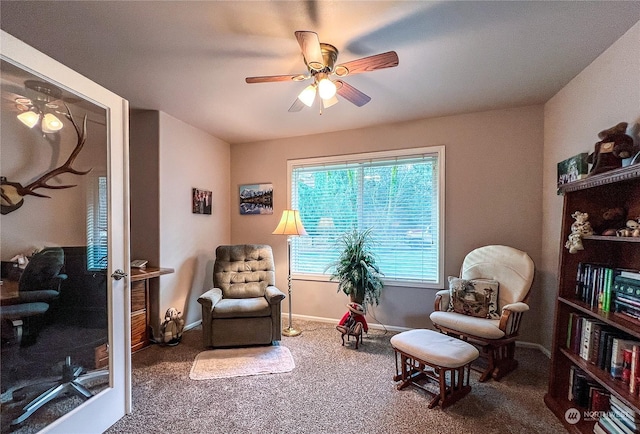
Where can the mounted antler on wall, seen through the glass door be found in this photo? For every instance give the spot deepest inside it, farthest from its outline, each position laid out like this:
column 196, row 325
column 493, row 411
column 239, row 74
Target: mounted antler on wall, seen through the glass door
column 13, row 193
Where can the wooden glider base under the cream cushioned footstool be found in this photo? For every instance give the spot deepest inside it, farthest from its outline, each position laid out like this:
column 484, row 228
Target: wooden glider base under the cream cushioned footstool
column 410, row 371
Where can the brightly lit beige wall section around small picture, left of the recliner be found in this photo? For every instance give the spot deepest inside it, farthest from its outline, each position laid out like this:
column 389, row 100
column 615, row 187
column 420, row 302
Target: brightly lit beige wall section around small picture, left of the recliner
column 190, row 158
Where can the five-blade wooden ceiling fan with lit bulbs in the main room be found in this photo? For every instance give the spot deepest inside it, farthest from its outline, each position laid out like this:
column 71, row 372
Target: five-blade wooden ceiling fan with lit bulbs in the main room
column 320, row 59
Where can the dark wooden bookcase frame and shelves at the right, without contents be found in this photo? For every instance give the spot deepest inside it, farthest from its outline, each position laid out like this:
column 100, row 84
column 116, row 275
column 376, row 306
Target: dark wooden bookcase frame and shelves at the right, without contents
column 620, row 187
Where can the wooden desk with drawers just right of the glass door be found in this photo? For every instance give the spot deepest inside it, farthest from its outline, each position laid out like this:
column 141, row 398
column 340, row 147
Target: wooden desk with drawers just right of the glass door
column 140, row 305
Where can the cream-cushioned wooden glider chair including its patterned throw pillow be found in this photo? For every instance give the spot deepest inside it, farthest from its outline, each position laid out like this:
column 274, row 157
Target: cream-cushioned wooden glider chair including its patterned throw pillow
column 485, row 305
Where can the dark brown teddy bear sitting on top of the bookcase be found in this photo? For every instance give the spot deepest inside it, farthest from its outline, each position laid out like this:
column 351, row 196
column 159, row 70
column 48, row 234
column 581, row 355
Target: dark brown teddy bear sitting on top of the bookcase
column 614, row 146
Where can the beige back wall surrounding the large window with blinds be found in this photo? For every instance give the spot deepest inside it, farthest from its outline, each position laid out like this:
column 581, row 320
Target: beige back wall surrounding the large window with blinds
column 493, row 196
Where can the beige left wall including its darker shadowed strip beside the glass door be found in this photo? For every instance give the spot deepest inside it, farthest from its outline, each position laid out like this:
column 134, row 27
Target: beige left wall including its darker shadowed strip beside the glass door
column 168, row 159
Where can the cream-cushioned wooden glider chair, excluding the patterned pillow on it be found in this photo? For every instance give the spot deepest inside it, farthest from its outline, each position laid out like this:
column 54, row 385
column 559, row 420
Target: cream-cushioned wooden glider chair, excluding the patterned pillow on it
column 514, row 271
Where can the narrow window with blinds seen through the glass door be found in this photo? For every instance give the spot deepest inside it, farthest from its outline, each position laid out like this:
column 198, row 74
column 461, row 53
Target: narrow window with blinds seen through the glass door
column 97, row 224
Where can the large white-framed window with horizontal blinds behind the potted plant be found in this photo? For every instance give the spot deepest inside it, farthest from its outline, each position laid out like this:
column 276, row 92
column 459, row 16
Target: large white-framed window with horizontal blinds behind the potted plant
column 399, row 194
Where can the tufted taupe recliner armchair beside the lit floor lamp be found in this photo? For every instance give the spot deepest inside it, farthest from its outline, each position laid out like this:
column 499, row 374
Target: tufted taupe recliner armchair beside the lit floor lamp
column 243, row 307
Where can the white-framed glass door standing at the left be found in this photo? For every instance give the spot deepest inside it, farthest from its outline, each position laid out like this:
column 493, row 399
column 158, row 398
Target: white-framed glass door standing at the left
column 62, row 235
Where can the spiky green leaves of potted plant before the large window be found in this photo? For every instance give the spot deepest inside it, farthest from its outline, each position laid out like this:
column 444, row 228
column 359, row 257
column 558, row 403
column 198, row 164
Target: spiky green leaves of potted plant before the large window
column 355, row 269
